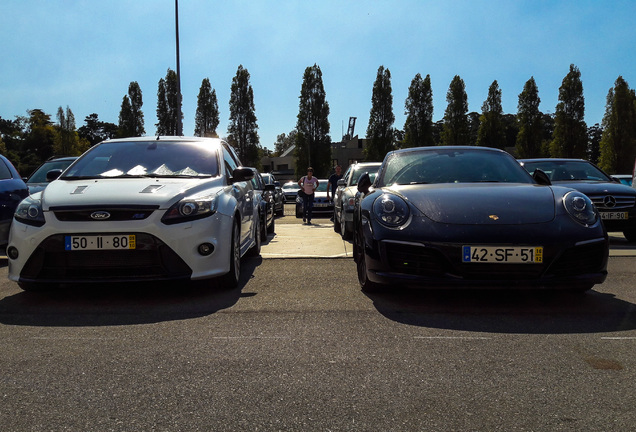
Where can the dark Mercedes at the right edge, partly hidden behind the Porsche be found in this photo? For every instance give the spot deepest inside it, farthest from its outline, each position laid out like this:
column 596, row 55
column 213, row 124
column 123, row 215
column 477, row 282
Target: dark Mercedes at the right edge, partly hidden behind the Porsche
column 615, row 201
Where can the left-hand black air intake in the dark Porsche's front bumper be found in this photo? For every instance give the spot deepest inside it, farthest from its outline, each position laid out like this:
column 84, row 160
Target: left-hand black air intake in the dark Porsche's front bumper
column 414, row 259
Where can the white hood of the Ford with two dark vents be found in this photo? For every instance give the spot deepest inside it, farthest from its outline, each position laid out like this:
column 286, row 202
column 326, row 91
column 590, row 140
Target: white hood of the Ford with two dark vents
column 123, row 191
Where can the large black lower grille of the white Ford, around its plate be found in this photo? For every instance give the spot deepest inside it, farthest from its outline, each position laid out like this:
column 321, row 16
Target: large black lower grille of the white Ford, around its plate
column 152, row 259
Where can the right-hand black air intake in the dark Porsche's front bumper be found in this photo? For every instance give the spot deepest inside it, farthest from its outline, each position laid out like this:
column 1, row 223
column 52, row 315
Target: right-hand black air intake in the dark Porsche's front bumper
column 580, row 260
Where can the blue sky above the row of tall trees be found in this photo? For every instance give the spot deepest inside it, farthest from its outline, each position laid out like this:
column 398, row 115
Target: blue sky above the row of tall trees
column 83, row 54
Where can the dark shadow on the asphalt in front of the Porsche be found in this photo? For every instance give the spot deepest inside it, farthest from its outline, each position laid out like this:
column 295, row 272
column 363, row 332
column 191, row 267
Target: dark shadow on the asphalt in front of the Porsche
column 493, row 311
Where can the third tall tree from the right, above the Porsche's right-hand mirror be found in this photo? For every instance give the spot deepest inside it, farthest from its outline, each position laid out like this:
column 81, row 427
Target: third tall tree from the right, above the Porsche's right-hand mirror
column 529, row 138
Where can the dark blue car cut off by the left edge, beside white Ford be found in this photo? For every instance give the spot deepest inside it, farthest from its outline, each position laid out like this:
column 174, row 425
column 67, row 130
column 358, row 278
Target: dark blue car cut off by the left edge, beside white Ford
column 12, row 191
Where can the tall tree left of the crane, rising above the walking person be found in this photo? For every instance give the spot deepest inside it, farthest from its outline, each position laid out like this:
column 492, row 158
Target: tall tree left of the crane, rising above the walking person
column 313, row 143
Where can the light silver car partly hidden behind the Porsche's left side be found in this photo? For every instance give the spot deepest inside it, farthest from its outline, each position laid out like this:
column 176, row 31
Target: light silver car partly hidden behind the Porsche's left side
column 344, row 201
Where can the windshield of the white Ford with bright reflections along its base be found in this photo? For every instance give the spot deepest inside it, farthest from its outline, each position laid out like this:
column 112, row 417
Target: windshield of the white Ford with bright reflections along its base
column 145, row 159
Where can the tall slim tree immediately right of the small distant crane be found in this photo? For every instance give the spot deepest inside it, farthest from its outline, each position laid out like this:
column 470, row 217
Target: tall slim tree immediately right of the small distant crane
column 381, row 118
